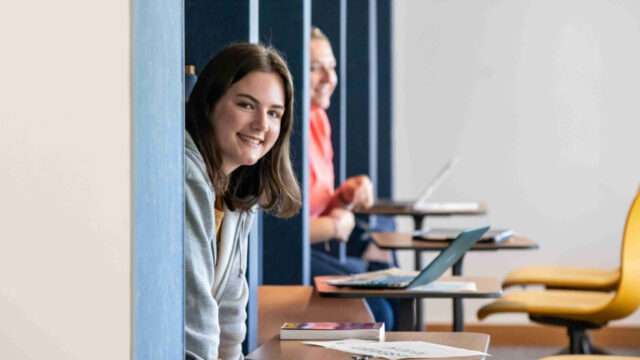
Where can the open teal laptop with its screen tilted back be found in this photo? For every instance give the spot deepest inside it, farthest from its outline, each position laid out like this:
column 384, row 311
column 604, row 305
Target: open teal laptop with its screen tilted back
column 447, row 257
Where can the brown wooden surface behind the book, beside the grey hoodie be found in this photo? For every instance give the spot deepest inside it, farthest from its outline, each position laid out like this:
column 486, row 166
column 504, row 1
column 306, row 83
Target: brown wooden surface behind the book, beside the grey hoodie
column 280, row 304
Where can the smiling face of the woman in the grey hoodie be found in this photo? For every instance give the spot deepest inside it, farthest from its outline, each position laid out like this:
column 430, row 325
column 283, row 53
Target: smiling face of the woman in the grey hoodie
column 246, row 119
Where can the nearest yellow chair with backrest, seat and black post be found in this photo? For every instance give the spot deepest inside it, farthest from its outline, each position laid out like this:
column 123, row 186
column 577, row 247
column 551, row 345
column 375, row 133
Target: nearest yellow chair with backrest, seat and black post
column 581, row 310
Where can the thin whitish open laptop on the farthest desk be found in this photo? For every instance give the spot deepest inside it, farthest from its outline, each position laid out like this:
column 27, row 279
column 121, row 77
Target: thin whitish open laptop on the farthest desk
column 421, row 203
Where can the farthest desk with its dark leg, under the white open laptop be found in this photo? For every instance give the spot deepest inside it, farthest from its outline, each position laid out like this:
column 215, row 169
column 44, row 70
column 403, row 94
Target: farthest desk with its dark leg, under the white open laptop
column 399, row 208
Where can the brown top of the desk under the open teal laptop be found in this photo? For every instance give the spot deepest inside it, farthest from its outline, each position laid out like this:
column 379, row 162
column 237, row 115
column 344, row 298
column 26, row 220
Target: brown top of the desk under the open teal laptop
column 486, row 287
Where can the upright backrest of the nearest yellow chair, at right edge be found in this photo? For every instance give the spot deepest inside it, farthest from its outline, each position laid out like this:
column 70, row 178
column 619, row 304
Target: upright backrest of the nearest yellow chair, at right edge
column 627, row 297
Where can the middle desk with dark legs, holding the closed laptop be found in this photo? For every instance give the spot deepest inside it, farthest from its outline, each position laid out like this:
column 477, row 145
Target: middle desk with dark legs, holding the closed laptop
column 405, row 241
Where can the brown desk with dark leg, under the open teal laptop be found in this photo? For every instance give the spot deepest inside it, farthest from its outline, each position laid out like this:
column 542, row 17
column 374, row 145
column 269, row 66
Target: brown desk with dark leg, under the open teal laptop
column 485, row 288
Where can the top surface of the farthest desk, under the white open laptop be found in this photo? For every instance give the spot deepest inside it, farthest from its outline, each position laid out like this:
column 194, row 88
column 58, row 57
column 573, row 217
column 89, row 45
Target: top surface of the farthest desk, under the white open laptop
column 405, row 208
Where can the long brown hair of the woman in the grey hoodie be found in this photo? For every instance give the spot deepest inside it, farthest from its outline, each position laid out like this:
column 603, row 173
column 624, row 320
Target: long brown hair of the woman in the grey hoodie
column 270, row 182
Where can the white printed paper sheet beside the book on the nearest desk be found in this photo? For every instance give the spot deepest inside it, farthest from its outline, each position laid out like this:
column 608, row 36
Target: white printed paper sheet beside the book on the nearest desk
column 397, row 349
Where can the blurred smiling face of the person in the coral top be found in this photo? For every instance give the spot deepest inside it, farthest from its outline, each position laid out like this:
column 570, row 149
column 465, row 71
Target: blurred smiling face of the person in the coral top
column 323, row 73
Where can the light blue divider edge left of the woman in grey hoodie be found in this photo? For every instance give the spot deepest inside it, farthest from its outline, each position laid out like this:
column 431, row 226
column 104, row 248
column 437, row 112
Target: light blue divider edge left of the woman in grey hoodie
column 158, row 195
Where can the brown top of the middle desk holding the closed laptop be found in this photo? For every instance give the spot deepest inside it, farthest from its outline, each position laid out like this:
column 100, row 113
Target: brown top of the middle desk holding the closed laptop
column 399, row 241
